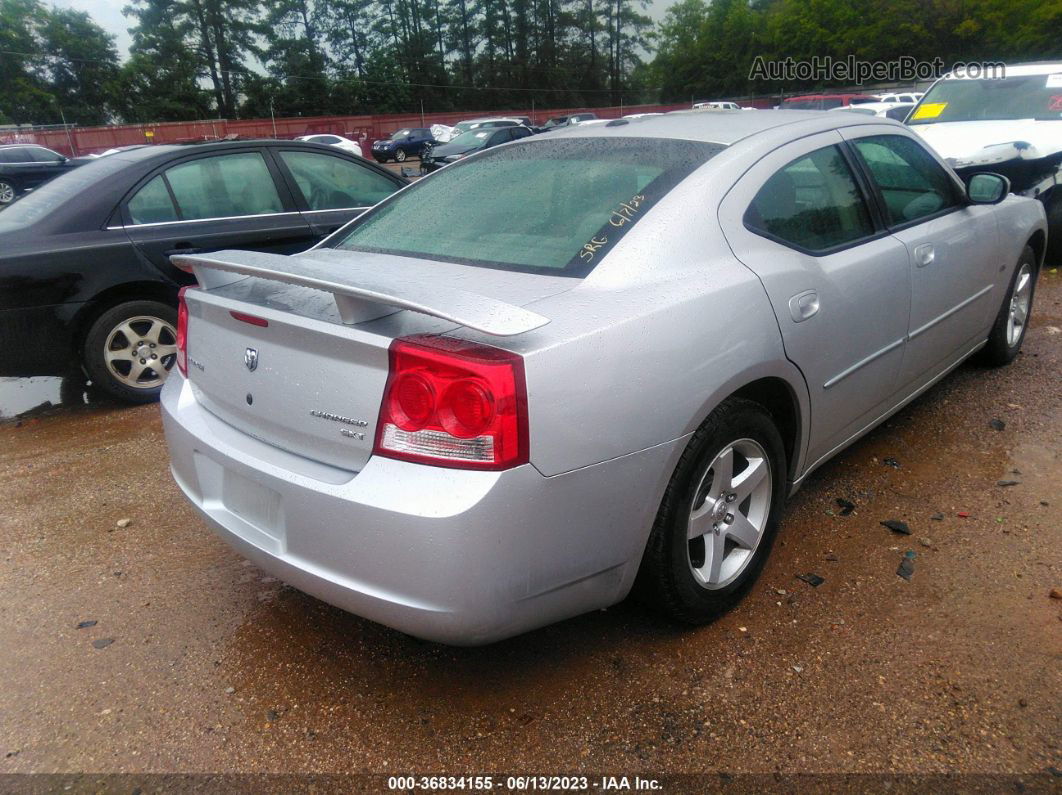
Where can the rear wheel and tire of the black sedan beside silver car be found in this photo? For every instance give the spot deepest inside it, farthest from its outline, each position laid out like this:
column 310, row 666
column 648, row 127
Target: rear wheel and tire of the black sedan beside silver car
column 121, row 344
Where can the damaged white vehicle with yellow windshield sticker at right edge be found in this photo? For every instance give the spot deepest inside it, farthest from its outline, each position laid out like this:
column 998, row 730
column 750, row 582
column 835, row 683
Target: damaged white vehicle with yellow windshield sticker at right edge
column 1009, row 125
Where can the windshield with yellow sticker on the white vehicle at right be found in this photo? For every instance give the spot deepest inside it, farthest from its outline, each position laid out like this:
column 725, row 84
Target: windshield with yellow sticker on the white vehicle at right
column 1025, row 97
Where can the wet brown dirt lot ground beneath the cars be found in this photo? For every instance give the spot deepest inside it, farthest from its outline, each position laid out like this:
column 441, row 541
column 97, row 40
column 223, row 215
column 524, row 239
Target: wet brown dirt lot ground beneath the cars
column 214, row 667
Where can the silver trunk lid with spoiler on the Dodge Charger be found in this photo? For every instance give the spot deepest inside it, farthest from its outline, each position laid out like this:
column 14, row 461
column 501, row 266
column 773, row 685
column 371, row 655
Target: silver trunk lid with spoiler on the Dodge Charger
column 306, row 382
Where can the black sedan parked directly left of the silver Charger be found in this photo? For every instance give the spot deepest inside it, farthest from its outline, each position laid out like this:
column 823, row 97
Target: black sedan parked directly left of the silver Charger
column 85, row 269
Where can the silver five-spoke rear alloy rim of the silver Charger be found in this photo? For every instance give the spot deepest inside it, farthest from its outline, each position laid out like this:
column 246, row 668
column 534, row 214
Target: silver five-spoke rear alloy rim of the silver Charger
column 729, row 515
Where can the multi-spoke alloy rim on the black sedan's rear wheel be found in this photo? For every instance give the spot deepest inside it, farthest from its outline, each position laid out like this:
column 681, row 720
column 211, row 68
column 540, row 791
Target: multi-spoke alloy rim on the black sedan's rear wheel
column 141, row 352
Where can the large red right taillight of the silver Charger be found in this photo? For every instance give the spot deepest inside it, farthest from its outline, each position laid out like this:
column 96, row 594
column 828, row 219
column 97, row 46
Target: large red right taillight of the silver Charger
column 454, row 404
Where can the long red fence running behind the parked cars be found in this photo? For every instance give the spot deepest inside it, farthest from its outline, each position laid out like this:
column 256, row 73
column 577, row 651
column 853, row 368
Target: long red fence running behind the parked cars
column 89, row 141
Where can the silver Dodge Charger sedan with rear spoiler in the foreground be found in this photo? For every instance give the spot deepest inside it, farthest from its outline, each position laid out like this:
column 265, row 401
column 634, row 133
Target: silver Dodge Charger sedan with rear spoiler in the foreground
column 613, row 360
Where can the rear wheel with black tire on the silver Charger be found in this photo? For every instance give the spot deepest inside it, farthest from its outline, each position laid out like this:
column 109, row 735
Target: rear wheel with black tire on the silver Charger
column 677, row 574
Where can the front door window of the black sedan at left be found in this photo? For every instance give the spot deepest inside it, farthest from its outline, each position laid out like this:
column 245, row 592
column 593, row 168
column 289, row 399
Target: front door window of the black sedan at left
column 332, row 183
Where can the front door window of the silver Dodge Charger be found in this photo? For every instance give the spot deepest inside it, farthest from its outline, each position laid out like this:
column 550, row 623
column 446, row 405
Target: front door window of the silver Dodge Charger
column 913, row 184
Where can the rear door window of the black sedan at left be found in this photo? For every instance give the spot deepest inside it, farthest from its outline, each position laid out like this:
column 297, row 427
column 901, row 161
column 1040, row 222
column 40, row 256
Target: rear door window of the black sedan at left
column 225, row 186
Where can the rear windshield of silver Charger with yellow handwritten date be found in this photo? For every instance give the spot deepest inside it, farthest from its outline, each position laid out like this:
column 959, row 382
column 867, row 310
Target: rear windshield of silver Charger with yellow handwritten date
column 555, row 208
